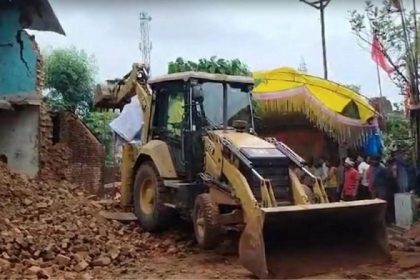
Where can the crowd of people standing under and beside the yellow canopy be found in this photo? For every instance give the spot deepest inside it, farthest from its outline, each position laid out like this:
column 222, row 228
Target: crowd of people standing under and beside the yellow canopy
column 366, row 177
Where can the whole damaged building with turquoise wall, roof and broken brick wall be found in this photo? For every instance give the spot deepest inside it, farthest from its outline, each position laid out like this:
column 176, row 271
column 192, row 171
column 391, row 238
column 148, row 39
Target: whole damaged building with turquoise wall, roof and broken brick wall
column 34, row 141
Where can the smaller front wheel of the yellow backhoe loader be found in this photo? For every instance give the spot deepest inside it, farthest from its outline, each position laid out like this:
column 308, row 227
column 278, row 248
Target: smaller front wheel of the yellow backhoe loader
column 206, row 226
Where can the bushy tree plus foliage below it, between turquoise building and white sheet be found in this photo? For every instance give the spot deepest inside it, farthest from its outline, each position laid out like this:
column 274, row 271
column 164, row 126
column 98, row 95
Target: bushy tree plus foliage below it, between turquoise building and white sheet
column 70, row 80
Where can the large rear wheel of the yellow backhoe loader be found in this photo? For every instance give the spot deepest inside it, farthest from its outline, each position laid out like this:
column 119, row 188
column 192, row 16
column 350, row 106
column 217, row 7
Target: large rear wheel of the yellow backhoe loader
column 148, row 199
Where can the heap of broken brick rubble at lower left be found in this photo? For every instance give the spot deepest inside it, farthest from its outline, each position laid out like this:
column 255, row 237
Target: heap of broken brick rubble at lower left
column 49, row 229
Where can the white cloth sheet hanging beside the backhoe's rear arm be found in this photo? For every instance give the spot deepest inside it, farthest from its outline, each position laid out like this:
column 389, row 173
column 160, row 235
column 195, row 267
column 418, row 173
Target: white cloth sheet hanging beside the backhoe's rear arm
column 129, row 123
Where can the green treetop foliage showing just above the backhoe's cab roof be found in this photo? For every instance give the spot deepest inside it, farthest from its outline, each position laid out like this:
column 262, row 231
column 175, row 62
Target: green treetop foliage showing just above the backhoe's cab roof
column 212, row 65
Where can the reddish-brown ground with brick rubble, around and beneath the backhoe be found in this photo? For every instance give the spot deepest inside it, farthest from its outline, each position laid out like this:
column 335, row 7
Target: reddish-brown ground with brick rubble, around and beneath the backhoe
column 54, row 230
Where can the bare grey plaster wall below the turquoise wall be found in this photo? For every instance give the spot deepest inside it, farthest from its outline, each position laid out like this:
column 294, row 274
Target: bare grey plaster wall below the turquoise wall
column 19, row 138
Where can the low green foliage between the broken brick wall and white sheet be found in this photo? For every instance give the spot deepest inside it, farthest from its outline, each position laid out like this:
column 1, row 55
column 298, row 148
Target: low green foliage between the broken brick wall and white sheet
column 98, row 123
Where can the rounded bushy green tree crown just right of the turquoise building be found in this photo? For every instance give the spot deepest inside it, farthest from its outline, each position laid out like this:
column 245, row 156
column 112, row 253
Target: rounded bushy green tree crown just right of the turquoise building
column 69, row 79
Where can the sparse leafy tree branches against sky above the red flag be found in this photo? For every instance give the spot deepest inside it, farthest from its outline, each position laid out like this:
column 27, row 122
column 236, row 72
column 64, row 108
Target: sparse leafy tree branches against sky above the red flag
column 390, row 31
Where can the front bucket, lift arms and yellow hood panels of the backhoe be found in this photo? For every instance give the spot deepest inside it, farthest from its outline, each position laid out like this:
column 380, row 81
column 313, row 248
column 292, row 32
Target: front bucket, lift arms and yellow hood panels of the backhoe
column 264, row 246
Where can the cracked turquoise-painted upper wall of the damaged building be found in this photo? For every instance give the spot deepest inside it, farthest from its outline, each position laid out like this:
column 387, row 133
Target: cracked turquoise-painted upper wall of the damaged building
column 17, row 64
